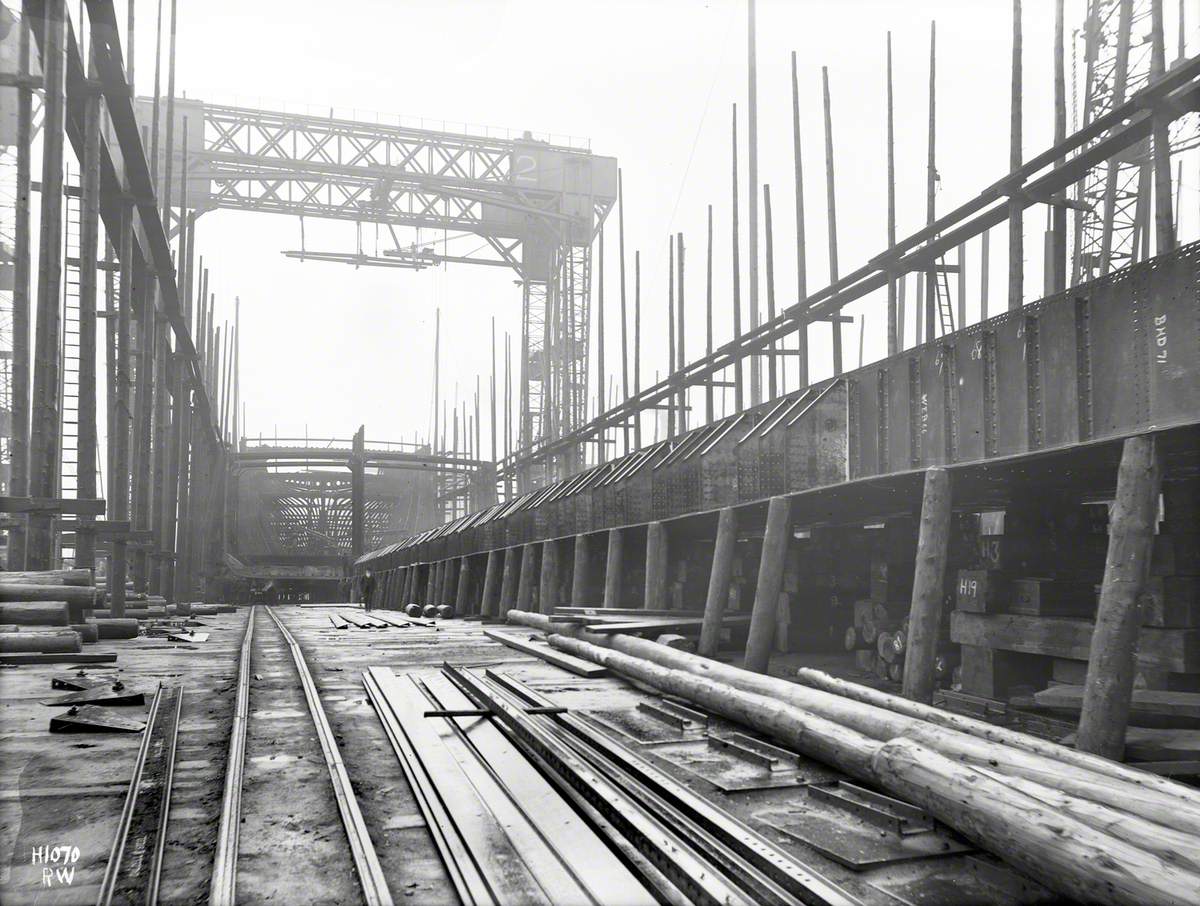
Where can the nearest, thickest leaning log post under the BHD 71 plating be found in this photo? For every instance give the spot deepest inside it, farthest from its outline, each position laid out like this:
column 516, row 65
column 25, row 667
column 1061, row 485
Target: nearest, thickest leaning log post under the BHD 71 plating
column 1113, row 659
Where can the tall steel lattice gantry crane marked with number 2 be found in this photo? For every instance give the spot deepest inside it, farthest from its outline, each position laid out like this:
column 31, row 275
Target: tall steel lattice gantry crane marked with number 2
column 537, row 206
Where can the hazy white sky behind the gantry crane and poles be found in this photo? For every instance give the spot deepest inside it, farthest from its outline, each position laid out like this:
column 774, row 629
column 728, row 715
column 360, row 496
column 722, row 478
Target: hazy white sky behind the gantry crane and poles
column 327, row 347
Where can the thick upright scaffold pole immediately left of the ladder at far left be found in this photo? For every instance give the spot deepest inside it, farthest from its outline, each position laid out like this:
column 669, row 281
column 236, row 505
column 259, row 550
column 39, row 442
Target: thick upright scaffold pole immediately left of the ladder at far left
column 44, row 448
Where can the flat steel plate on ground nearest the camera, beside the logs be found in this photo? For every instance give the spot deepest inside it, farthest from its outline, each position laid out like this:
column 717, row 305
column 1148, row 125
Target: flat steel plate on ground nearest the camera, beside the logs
column 854, row 843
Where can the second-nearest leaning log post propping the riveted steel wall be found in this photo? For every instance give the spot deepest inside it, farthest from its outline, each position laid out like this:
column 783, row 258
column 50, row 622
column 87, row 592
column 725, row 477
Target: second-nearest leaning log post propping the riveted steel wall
column 929, row 580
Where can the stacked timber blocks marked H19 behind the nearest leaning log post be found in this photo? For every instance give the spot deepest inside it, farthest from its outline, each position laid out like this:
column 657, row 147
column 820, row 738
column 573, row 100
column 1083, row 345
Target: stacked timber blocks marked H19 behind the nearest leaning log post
column 1025, row 607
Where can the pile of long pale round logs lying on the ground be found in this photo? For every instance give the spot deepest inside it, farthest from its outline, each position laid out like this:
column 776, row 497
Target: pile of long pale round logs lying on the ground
column 1089, row 829
